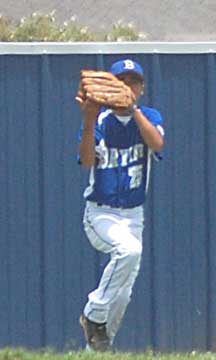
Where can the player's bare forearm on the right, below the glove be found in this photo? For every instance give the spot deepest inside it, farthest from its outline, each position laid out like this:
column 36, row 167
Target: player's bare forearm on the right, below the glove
column 149, row 133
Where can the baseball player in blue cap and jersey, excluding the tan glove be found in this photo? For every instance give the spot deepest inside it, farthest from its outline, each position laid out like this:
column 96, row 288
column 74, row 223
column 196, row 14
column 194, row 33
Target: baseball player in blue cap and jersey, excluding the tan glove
column 117, row 146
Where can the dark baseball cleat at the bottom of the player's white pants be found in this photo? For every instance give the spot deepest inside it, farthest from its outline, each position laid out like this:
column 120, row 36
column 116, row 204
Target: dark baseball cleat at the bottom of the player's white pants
column 95, row 334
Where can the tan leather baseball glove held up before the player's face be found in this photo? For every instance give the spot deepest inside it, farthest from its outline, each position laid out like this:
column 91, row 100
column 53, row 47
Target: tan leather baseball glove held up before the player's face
column 105, row 89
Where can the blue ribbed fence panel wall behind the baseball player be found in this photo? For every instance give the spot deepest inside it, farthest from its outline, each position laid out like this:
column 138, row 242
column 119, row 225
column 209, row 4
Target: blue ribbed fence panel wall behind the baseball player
column 47, row 266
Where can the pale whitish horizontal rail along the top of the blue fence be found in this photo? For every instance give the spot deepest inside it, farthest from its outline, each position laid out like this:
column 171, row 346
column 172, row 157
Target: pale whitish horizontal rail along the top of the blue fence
column 106, row 47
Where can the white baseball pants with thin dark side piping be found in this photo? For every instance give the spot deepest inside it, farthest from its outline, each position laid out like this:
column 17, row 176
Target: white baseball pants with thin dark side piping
column 119, row 233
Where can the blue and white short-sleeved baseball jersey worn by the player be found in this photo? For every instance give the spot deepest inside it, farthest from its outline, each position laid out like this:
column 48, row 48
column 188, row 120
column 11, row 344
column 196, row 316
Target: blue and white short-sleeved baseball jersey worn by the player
column 121, row 173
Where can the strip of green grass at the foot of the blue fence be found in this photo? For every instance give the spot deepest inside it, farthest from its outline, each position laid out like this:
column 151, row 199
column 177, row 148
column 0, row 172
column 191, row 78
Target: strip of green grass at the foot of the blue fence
column 20, row 354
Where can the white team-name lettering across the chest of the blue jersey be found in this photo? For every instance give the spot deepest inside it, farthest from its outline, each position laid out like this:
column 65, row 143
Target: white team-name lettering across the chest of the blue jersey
column 113, row 157
